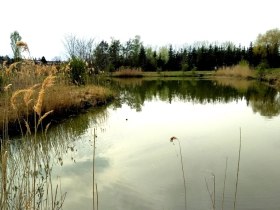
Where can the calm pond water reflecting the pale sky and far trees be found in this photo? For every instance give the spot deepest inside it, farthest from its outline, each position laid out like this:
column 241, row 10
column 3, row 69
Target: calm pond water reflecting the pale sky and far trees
column 226, row 150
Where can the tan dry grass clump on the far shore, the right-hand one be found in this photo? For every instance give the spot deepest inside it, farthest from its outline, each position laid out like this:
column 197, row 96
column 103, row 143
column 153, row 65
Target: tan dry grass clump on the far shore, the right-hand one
column 240, row 71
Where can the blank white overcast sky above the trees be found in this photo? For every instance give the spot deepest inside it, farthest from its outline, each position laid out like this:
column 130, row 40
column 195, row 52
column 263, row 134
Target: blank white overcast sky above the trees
column 44, row 24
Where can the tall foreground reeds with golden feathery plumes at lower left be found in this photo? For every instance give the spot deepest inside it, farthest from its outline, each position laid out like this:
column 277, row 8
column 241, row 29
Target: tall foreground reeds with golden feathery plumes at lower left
column 26, row 181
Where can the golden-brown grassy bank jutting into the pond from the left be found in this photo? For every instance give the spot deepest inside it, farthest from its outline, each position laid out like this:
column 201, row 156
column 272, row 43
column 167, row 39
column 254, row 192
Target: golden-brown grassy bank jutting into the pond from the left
column 27, row 86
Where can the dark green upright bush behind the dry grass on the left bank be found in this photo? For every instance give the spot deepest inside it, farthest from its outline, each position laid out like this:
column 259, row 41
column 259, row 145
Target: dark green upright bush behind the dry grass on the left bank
column 78, row 71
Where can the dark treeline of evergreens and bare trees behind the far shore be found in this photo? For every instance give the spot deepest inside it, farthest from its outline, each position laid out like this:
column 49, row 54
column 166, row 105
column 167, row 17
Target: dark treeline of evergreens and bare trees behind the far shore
column 112, row 56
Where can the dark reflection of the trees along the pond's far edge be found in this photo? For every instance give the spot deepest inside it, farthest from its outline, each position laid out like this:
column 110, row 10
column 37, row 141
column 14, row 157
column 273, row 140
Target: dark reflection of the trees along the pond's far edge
column 263, row 99
